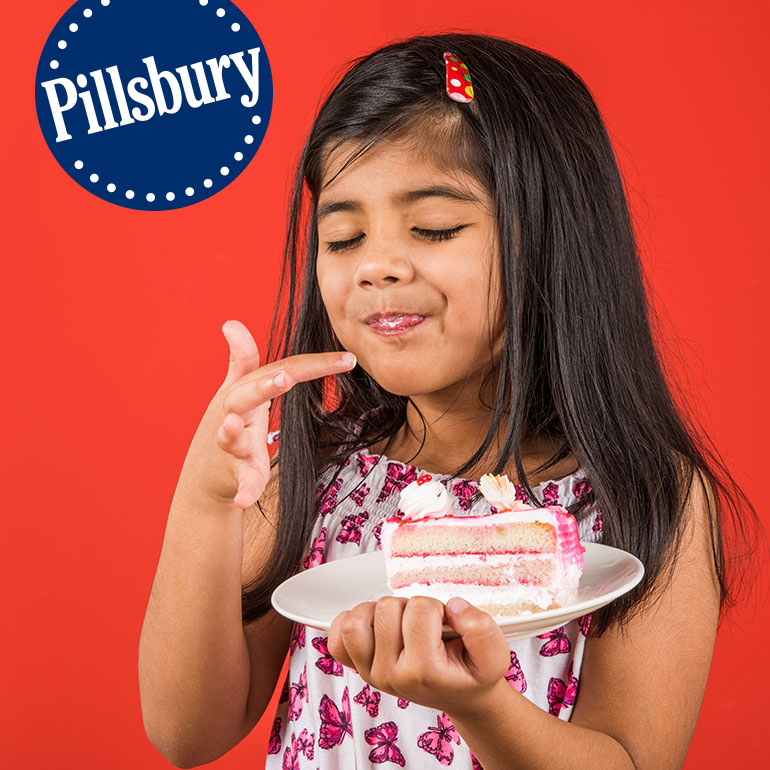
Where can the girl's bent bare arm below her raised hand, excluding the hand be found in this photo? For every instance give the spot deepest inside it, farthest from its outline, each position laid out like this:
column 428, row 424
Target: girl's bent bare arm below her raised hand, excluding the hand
column 205, row 679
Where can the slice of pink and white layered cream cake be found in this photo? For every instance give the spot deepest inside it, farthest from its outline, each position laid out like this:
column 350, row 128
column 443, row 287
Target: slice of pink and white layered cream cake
column 515, row 560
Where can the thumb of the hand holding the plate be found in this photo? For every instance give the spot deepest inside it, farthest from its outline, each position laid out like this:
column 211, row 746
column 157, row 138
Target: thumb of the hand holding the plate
column 485, row 646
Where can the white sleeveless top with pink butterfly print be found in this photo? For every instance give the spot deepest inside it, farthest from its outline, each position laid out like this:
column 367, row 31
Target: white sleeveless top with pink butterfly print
column 328, row 718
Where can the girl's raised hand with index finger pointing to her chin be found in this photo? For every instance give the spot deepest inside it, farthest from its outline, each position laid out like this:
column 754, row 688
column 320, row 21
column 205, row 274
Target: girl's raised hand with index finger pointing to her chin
column 228, row 458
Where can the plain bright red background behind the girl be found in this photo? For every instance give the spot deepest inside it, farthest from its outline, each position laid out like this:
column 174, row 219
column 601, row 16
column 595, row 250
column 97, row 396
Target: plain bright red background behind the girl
column 111, row 330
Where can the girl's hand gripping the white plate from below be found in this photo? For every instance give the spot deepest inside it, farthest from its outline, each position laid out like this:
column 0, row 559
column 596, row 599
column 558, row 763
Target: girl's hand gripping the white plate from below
column 395, row 645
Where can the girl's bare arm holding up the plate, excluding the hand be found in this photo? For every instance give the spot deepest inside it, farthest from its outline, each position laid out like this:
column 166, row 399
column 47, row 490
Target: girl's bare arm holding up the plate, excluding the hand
column 640, row 692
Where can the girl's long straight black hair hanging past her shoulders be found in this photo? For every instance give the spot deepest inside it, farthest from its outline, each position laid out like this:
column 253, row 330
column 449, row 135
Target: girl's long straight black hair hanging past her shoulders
column 579, row 361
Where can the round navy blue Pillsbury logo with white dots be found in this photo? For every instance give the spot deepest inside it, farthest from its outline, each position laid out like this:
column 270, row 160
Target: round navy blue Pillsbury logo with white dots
column 154, row 105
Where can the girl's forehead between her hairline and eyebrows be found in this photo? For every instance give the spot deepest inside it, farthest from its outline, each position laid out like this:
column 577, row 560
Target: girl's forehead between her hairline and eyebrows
column 398, row 171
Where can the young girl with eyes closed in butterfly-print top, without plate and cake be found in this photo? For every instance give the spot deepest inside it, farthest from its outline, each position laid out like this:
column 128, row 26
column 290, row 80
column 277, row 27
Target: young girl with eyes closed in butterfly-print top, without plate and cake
column 468, row 298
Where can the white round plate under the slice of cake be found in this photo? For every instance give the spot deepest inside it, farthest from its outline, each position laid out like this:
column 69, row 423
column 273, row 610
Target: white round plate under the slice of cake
column 315, row 597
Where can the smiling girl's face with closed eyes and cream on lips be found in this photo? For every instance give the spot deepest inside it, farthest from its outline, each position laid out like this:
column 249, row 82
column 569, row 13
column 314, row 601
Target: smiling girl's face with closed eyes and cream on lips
column 413, row 306
